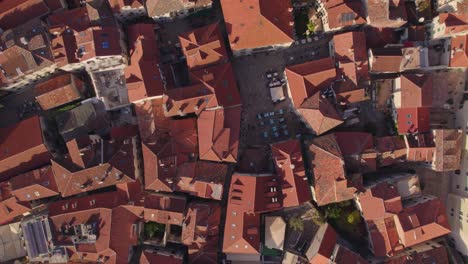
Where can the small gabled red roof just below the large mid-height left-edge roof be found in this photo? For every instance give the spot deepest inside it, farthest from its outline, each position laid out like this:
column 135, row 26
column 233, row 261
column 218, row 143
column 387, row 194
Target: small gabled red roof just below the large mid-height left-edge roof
column 34, row 185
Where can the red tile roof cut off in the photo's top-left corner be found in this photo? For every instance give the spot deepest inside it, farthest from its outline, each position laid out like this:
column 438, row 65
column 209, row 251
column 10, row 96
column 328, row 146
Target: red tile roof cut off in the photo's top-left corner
column 15, row 13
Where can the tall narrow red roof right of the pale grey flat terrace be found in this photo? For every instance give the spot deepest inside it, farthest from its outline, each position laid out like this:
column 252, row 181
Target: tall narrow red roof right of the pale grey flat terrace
column 143, row 76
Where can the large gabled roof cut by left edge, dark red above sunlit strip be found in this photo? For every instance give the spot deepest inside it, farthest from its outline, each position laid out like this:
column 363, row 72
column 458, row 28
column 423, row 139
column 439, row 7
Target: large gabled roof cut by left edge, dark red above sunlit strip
column 22, row 148
